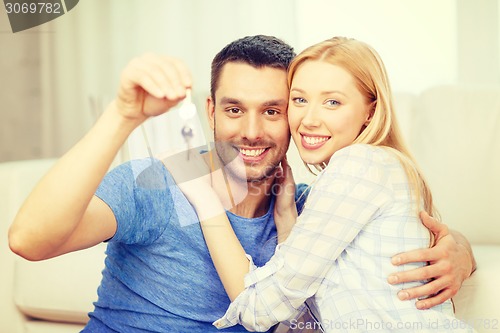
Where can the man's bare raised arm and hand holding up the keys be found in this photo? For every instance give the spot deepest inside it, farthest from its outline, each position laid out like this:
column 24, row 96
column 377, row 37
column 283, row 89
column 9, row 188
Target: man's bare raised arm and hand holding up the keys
column 62, row 214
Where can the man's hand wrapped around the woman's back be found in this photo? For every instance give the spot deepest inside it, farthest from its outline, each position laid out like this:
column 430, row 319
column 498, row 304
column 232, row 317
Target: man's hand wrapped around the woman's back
column 451, row 261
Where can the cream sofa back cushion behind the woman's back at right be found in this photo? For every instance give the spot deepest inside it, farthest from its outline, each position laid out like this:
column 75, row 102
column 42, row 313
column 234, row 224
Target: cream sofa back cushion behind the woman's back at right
column 456, row 141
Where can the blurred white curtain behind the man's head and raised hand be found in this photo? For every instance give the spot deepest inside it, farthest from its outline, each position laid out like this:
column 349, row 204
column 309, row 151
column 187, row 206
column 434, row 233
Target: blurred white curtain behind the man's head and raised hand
column 86, row 49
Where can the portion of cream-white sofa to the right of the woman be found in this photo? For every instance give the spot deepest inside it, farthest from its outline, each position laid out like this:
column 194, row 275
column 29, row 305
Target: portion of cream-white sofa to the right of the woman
column 454, row 133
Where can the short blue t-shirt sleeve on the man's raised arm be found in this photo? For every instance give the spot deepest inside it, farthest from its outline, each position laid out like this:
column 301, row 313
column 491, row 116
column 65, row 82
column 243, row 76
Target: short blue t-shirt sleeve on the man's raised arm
column 138, row 193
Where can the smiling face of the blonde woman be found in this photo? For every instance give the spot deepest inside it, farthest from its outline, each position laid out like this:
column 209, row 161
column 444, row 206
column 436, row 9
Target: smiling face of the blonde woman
column 326, row 111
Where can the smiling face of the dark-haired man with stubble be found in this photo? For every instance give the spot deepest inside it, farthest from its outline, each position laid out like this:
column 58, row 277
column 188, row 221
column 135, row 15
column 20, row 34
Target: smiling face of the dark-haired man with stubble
column 249, row 119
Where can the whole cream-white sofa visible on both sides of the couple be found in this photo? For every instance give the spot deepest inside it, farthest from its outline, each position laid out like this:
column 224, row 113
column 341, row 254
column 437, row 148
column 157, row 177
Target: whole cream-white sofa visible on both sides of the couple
column 455, row 134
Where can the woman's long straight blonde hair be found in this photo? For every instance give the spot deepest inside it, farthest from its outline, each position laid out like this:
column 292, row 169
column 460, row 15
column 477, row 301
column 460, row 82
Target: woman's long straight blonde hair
column 370, row 77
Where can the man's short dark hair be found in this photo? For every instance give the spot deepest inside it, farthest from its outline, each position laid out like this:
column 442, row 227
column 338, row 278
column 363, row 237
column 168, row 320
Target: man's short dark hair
column 257, row 51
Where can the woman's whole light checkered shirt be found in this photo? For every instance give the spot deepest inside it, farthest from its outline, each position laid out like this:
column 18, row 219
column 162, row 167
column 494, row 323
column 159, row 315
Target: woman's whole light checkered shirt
column 358, row 215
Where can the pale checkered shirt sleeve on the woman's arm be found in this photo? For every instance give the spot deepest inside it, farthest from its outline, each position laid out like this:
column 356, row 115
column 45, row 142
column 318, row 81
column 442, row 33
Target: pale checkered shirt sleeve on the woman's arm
column 349, row 193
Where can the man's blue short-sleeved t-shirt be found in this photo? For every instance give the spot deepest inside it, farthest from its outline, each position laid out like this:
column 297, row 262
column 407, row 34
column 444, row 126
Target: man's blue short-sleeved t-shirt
column 158, row 274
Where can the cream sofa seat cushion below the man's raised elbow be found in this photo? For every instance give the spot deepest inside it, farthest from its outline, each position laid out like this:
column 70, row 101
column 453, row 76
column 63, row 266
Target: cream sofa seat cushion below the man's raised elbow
column 59, row 289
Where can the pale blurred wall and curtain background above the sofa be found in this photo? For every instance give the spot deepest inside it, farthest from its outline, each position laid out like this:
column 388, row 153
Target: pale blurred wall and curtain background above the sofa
column 56, row 78
